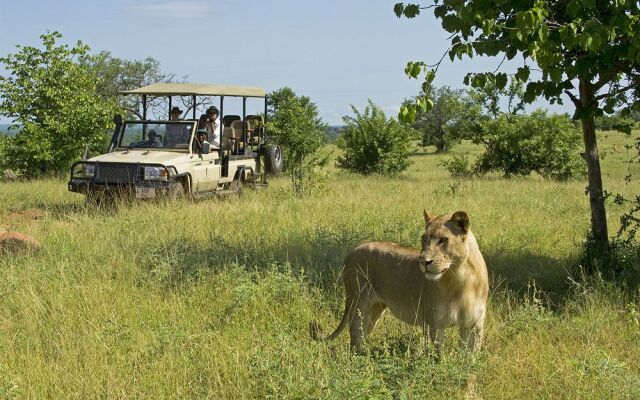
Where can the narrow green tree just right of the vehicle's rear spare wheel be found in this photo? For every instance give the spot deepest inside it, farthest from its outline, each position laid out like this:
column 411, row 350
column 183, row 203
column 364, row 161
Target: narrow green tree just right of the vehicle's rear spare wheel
column 295, row 122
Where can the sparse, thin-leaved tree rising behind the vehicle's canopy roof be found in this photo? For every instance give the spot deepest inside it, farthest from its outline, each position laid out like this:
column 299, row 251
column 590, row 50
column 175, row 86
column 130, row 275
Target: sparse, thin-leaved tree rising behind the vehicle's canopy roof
column 115, row 75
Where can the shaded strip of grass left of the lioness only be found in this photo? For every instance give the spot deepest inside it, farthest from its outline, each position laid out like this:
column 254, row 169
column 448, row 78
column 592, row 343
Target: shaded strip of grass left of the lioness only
column 316, row 254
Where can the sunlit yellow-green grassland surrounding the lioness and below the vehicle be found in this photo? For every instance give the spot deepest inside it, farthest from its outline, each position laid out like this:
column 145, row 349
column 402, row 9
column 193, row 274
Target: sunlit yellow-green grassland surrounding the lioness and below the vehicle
column 211, row 299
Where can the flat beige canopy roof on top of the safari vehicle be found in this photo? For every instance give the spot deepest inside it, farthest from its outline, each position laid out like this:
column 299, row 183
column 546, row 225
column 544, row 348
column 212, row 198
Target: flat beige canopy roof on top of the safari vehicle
column 196, row 89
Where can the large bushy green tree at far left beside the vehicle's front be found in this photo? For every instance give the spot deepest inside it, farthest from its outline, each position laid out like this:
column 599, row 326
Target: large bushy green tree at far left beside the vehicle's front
column 54, row 100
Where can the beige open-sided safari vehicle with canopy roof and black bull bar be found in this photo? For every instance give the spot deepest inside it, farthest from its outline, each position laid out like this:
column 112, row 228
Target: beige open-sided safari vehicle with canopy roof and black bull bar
column 152, row 158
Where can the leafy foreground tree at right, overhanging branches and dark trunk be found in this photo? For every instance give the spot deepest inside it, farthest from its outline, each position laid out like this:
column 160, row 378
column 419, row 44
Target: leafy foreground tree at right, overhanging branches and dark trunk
column 566, row 42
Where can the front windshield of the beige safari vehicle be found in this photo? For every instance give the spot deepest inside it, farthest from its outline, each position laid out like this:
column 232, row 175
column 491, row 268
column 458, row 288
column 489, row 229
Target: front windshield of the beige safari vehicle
column 158, row 135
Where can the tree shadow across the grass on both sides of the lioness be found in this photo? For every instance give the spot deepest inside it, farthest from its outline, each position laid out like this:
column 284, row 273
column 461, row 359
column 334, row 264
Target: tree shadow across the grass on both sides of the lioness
column 318, row 253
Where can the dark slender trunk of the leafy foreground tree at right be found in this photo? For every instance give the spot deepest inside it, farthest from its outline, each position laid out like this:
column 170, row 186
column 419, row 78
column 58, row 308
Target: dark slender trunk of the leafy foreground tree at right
column 596, row 194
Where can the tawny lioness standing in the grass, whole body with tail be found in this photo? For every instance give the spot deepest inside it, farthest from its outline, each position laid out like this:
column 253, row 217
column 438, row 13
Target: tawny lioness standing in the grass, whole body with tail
column 442, row 285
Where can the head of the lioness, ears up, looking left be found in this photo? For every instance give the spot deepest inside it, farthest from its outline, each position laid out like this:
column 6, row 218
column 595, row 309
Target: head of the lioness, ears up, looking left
column 443, row 243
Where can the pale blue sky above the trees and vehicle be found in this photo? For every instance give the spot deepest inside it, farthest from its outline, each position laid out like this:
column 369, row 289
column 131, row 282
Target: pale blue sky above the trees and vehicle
column 338, row 53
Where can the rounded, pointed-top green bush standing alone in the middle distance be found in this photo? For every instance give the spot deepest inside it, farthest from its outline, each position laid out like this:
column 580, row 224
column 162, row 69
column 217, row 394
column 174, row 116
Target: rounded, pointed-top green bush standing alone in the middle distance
column 373, row 144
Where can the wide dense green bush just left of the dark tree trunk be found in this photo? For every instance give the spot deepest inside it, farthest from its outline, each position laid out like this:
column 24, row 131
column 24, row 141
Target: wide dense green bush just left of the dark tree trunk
column 522, row 144
